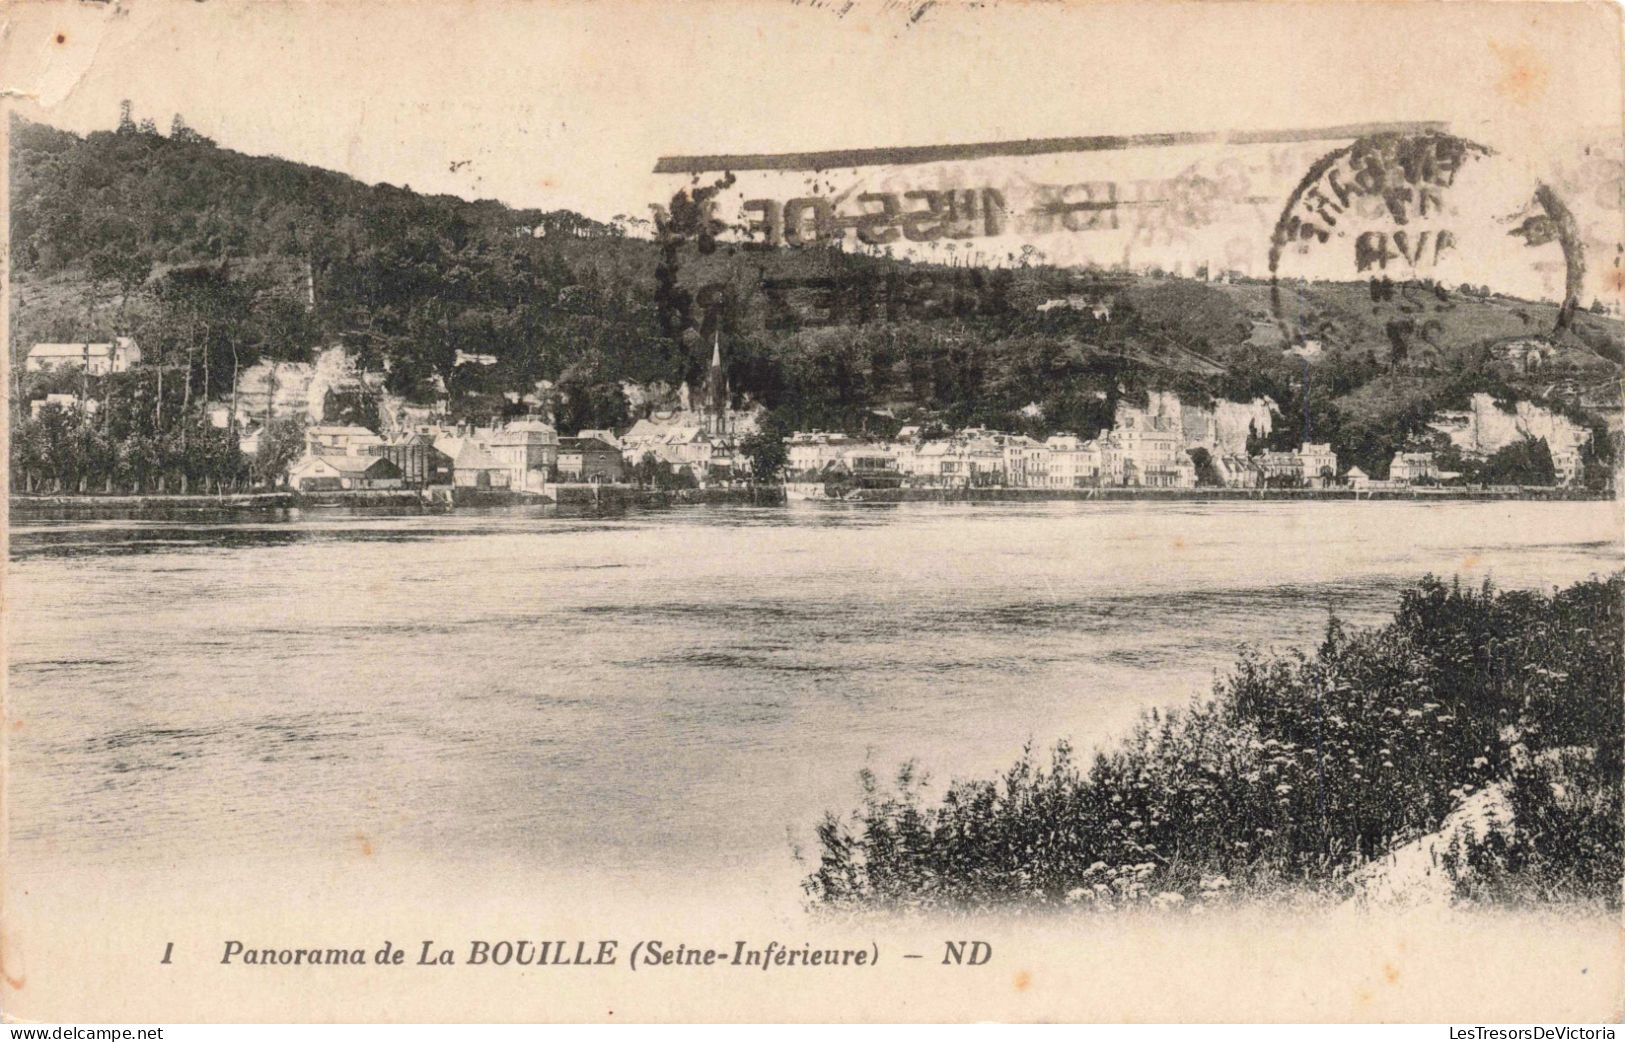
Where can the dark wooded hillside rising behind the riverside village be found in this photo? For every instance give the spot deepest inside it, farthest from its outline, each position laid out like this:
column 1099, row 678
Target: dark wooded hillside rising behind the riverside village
column 110, row 232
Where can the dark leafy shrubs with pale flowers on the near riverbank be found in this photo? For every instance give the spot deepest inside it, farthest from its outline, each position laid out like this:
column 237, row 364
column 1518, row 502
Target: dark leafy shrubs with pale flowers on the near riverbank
column 1293, row 775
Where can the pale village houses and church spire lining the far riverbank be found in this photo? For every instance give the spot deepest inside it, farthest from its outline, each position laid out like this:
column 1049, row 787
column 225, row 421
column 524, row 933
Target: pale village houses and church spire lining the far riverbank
column 1151, row 446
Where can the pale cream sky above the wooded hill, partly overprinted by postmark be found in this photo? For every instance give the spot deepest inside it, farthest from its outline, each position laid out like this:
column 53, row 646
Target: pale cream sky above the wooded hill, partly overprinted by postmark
column 563, row 105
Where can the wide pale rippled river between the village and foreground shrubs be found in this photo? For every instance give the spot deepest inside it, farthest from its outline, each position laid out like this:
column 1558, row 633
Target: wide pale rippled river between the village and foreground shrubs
column 674, row 693
